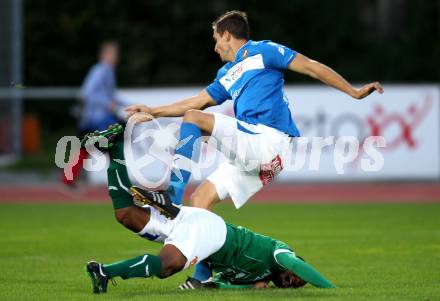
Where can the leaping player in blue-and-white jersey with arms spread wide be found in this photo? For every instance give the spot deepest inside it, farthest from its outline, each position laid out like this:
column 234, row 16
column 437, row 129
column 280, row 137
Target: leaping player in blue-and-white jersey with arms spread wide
column 260, row 136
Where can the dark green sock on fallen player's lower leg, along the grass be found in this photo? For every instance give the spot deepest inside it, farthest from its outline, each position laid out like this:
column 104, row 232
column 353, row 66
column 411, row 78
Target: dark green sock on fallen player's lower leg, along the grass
column 141, row 266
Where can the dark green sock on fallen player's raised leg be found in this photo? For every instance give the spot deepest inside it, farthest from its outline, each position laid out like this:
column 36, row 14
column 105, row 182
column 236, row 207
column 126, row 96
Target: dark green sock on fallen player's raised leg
column 117, row 176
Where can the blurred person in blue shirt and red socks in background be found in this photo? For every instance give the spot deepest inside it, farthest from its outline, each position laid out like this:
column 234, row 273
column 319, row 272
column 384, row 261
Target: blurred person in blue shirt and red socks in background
column 98, row 100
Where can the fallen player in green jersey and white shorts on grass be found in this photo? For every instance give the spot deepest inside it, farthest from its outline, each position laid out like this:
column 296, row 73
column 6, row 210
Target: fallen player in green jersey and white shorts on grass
column 240, row 257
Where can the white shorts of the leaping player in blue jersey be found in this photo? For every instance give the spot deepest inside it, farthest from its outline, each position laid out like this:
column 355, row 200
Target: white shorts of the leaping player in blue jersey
column 254, row 157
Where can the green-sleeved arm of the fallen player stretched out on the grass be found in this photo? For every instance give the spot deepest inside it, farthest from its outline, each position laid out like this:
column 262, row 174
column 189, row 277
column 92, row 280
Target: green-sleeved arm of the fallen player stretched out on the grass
column 303, row 270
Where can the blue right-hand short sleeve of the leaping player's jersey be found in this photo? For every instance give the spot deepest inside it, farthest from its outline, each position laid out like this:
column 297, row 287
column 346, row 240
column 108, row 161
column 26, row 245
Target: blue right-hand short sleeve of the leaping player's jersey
column 278, row 56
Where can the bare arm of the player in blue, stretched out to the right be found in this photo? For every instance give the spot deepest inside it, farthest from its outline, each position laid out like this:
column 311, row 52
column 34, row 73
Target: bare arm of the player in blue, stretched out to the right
column 312, row 68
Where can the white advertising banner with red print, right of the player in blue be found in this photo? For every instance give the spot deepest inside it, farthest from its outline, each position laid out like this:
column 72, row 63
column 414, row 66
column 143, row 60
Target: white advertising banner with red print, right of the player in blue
column 406, row 116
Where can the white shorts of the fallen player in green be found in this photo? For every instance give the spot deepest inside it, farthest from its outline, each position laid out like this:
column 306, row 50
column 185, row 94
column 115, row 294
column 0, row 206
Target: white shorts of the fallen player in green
column 196, row 232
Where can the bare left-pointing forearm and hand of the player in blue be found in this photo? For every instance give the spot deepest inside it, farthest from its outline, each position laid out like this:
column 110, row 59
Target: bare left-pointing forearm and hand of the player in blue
column 142, row 113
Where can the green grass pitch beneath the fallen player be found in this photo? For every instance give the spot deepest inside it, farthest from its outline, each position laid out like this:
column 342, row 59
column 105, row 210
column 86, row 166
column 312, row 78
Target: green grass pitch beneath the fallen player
column 371, row 252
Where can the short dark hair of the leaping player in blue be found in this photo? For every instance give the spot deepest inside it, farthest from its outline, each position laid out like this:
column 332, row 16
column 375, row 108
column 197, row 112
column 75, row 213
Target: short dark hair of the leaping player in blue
column 235, row 22
